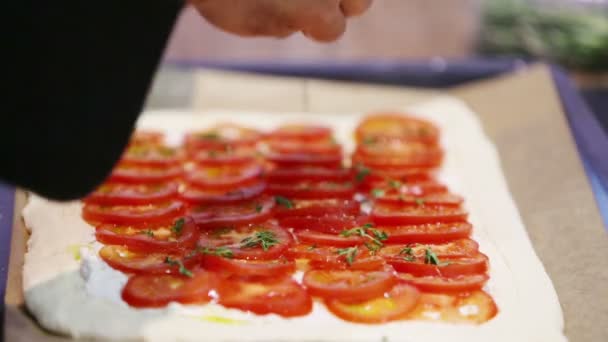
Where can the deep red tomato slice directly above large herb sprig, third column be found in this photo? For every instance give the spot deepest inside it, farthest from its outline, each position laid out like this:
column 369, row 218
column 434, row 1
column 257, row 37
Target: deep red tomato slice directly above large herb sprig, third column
column 327, row 224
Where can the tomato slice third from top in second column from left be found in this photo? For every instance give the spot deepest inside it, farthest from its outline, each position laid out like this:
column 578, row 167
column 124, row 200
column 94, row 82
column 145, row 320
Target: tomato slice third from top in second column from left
column 225, row 177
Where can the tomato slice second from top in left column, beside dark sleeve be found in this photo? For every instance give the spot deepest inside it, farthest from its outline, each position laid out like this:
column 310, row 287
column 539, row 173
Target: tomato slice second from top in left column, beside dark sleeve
column 150, row 156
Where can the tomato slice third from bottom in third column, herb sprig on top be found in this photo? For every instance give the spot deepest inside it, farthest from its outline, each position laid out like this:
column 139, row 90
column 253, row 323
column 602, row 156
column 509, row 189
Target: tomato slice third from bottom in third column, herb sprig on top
column 334, row 258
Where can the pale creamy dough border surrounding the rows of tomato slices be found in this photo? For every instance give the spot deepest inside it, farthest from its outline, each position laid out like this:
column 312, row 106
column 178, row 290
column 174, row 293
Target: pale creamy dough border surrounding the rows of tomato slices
column 81, row 298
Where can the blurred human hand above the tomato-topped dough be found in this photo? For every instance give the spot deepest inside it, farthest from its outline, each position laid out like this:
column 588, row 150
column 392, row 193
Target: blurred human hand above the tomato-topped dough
column 321, row 20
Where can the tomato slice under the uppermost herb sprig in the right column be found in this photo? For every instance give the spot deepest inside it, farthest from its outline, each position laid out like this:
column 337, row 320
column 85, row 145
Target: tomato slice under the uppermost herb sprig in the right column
column 394, row 190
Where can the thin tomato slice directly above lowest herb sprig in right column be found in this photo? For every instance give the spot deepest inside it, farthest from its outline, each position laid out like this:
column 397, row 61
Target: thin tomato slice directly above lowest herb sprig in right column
column 452, row 249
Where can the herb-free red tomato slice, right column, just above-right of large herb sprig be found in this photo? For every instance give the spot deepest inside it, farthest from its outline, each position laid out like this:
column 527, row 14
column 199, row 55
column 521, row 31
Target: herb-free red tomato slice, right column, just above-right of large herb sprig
column 384, row 214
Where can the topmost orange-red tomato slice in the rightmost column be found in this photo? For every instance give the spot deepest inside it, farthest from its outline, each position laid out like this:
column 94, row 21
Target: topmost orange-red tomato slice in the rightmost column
column 395, row 126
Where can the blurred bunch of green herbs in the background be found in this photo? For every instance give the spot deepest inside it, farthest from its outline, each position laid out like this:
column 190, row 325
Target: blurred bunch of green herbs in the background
column 572, row 33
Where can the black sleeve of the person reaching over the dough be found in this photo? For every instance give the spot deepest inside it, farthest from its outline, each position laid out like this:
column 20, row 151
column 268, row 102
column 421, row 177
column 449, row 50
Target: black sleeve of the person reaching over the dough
column 78, row 73
